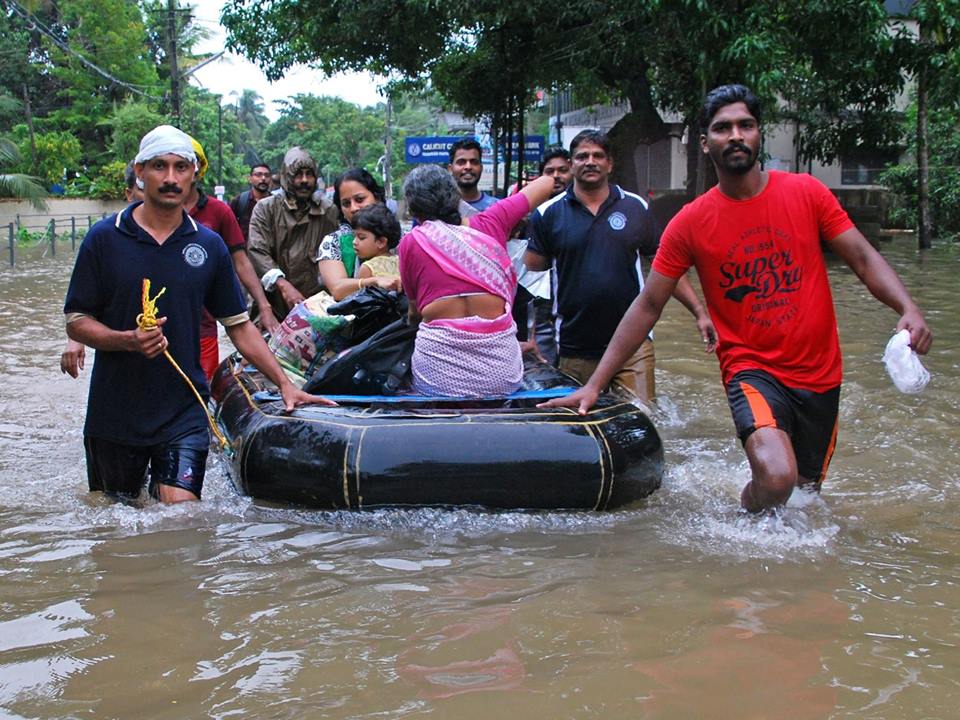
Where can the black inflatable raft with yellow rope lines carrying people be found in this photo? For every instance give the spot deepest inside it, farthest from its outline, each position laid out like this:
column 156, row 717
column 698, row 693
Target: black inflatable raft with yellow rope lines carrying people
column 389, row 451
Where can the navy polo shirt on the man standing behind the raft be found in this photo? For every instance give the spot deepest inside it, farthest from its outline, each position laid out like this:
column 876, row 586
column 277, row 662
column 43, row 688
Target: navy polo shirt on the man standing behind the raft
column 598, row 263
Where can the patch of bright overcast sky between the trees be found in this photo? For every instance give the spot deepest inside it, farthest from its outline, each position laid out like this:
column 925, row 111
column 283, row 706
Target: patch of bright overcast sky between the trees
column 234, row 74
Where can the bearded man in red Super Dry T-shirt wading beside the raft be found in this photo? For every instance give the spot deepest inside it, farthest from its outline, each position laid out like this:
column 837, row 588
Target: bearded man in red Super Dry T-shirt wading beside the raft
column 755, row 242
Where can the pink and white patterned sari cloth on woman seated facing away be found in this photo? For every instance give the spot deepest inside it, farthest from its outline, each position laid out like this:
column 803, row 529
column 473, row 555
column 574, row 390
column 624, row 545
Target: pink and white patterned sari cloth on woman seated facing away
column 471, row 356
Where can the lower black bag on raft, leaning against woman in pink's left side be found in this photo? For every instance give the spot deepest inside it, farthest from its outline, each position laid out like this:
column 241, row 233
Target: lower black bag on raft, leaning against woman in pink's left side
column 380, row 365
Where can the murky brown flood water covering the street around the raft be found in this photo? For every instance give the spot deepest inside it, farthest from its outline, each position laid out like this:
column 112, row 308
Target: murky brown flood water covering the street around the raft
column 846, row 606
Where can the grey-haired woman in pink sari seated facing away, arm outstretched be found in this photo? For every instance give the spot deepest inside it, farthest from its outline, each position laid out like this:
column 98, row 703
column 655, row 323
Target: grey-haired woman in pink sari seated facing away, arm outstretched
column 460, row 283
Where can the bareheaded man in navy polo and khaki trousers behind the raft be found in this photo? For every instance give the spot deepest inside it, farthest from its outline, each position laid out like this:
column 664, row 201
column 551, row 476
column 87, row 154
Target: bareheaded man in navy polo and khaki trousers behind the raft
column 597, row 232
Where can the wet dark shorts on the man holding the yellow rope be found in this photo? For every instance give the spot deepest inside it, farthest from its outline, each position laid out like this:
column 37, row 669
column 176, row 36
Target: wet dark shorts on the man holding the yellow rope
column 121, row 470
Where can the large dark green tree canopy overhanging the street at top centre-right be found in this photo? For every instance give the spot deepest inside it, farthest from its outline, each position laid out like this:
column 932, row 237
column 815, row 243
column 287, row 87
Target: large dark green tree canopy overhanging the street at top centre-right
column 660, row 55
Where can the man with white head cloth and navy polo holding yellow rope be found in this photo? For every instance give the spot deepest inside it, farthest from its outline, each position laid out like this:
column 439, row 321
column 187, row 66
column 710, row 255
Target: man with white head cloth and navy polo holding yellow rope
column 140, row 411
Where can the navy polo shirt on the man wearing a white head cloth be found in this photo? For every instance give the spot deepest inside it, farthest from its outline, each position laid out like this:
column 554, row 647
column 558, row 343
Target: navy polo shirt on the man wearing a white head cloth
column 133, row 400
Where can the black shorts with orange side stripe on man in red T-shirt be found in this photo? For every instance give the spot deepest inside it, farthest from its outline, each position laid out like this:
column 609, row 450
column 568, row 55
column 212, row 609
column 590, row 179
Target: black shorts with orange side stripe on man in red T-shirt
column 759, row 400
